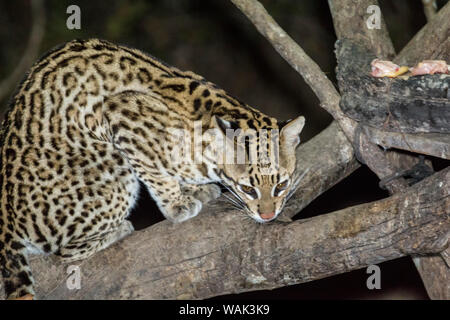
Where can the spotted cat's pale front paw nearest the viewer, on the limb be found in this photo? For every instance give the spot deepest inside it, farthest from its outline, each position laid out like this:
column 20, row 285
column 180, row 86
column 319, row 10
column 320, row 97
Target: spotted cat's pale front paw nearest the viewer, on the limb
column 183, row 209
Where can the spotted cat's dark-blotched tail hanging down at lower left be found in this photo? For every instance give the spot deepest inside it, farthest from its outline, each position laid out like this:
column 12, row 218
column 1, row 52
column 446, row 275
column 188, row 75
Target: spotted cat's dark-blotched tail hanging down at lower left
column 15, row 269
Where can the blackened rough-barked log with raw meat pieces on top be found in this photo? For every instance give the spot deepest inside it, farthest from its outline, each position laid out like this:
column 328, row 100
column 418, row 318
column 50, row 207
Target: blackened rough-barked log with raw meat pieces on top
column 405, row 104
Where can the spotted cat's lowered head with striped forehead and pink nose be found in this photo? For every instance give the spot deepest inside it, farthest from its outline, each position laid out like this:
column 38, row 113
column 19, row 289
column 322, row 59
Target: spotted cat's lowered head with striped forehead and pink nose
column 262, row 187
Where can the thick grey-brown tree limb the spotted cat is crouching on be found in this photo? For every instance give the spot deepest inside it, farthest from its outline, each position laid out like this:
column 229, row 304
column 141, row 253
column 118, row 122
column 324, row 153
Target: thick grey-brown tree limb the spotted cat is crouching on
column 219, row 253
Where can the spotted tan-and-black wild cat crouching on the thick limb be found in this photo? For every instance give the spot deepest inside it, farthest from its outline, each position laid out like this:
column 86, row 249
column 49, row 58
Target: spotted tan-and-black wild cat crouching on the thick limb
column 87, row 124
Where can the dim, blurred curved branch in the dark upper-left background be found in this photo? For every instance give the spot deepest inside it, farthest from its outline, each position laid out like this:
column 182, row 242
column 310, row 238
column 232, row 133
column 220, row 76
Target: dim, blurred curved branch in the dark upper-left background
column 31, row 51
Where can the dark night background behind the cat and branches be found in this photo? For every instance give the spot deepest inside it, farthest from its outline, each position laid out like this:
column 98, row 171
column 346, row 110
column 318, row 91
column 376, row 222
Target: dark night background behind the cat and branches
column 212, row 38
